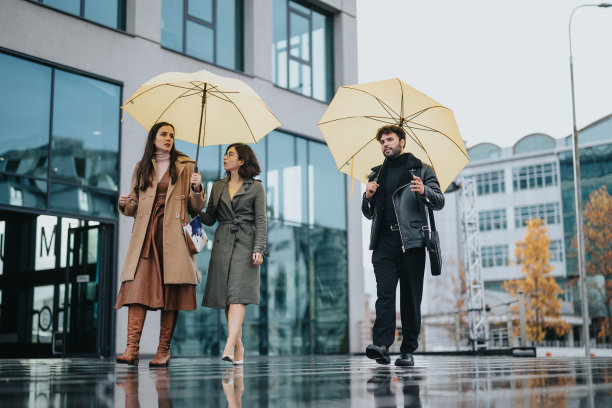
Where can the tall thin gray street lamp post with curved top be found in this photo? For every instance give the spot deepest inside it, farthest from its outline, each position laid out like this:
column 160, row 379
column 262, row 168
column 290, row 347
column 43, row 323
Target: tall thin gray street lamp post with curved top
column 578, row 198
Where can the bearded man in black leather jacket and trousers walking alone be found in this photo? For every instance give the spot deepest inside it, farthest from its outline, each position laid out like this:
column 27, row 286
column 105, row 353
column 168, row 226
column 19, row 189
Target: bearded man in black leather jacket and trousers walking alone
column 395, row 200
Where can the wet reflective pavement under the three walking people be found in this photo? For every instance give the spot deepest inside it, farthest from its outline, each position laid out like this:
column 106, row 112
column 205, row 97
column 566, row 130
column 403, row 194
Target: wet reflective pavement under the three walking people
column 309, row 381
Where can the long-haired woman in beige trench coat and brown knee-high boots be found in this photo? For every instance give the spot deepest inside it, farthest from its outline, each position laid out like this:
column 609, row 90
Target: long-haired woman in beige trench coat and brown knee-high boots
column 159, row 273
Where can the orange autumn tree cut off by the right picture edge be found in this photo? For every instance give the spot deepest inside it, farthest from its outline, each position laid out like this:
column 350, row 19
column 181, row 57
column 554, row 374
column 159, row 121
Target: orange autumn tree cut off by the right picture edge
column 598, row 248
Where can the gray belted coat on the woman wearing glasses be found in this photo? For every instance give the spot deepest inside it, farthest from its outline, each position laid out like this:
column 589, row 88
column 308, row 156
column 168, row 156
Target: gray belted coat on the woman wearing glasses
column 242, row 230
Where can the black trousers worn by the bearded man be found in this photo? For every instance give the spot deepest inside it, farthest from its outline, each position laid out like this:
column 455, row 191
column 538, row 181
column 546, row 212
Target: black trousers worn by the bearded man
column 391, row 265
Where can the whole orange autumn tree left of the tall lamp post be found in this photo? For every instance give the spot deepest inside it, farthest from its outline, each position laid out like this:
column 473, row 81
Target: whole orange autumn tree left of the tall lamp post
column 542, row 303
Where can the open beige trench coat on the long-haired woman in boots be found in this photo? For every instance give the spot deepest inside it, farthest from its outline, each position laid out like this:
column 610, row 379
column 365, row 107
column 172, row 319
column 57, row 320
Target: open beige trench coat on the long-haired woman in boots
column 179, row 265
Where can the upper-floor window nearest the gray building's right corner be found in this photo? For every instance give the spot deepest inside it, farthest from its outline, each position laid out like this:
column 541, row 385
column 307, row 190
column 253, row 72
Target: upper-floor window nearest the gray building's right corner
column 302, row 50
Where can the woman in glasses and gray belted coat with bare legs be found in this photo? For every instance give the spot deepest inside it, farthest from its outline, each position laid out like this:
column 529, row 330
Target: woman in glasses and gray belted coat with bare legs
column 238, row 202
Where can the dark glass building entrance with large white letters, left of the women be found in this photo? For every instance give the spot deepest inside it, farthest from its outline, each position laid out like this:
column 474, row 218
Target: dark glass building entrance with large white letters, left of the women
column 56, row 286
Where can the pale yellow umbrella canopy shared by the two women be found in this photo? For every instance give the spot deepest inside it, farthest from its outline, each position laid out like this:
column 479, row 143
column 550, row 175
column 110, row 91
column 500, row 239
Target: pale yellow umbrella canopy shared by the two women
column 204, row 108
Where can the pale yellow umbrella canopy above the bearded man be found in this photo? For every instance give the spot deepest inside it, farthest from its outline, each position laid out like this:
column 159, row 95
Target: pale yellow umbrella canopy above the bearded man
column 350, row 123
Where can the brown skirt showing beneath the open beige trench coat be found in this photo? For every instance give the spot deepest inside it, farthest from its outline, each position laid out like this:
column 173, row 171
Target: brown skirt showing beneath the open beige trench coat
column 148, row 288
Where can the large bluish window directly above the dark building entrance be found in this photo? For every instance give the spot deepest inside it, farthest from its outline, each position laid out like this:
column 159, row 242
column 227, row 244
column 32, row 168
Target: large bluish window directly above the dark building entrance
column 60, row 147
